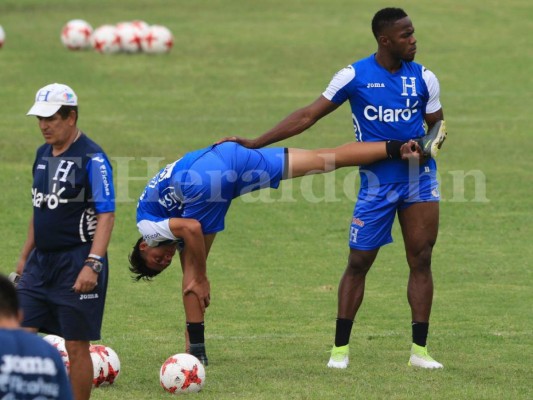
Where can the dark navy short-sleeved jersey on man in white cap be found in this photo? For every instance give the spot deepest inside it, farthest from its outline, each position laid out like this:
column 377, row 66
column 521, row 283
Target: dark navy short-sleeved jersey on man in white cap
column 68, row 192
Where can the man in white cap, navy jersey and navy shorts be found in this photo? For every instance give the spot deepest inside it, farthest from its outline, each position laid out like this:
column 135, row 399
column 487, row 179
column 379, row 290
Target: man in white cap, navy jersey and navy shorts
column 63, row 263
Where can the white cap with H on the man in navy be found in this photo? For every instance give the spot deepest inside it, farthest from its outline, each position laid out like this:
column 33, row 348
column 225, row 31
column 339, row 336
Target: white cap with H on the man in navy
column 50, row 98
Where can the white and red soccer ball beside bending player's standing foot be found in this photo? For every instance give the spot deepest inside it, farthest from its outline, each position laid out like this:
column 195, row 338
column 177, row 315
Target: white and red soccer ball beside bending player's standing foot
column 182, row 373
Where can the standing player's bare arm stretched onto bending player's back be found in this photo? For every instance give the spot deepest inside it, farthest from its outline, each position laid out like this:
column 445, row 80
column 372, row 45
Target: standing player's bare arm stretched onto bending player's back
column 292, row 125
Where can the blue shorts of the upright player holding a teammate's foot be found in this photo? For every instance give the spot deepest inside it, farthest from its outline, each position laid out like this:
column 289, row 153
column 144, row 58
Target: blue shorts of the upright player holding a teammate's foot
column 376, row 209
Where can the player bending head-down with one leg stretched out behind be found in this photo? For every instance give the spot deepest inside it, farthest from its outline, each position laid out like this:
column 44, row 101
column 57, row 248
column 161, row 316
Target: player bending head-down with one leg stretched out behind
column 183, row 207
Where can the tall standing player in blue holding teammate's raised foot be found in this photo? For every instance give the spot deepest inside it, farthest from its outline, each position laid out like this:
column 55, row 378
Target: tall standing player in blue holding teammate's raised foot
column 391, row 97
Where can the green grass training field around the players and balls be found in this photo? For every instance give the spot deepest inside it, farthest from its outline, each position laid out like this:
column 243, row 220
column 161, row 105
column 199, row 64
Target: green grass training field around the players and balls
column 238, row 67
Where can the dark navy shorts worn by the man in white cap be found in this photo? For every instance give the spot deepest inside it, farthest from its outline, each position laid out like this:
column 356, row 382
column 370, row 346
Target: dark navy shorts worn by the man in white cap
column 48, row 301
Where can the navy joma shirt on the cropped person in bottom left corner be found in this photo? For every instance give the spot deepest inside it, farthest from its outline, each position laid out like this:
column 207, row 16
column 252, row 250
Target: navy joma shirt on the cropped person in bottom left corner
column 31, row 368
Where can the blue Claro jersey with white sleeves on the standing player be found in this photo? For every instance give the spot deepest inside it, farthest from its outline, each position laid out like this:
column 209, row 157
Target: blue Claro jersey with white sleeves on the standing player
column 386, row 106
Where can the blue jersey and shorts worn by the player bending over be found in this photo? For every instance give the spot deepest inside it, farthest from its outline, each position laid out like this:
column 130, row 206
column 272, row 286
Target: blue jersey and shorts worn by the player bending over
column 201, row 186
